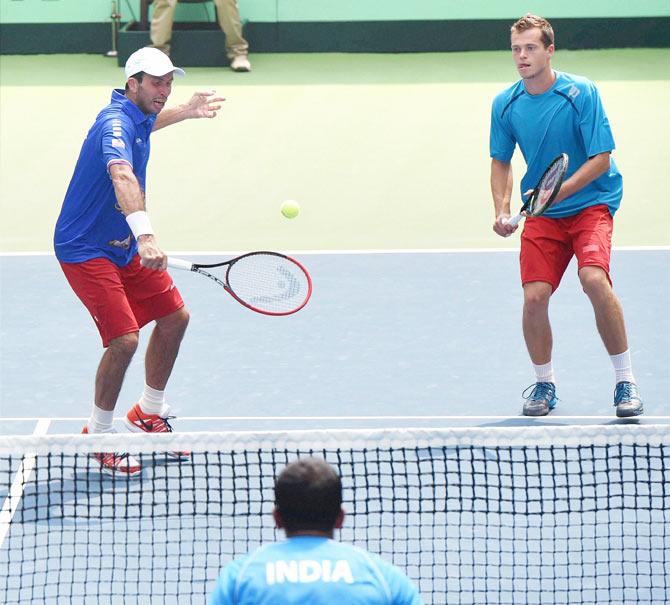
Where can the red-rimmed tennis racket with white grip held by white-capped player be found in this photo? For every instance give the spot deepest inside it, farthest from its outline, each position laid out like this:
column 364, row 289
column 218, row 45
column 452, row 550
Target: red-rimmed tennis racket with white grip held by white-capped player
column 265, row 282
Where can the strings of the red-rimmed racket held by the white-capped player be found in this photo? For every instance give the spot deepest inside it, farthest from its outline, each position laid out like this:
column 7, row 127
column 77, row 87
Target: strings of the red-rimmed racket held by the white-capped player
column 270, row 283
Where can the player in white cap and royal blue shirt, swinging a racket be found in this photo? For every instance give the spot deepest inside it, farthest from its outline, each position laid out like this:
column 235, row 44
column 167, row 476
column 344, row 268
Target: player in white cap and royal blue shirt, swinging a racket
column 108, row 251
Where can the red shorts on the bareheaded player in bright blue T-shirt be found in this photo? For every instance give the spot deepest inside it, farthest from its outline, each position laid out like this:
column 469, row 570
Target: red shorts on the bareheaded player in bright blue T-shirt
column 548, row 244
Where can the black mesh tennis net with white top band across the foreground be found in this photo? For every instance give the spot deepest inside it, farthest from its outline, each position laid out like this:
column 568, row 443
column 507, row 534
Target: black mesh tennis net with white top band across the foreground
column 558, row 515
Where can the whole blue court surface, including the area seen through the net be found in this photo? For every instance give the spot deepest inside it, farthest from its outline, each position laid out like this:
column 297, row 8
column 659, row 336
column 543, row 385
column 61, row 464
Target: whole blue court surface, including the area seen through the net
column 389, row 341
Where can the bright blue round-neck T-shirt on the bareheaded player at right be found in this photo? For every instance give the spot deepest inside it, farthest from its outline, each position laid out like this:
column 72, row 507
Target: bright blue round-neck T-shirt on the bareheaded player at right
column 567, row 118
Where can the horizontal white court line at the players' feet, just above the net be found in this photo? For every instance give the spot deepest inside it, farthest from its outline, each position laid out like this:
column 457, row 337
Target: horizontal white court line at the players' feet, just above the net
column 350, row 418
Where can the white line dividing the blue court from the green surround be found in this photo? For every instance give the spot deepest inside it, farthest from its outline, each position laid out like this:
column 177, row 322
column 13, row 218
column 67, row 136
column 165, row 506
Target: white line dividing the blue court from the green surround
column 361, row 251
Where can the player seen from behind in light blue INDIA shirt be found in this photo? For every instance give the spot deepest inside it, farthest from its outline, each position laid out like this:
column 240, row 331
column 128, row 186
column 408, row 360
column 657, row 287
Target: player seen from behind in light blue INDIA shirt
column 309, row 567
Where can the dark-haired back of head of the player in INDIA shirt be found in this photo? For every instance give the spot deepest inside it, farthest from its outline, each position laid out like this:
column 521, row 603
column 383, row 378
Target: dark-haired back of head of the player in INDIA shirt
column 308, row 495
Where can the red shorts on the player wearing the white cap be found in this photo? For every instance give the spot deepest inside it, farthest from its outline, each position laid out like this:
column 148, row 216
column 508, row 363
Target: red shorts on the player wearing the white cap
column 122, row 299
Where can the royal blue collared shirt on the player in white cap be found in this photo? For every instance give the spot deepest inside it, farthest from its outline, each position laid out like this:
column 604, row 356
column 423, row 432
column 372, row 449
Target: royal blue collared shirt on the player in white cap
column 91, row 224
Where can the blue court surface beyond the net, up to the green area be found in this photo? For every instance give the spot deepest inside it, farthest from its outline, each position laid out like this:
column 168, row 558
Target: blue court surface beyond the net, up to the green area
column 392, row 336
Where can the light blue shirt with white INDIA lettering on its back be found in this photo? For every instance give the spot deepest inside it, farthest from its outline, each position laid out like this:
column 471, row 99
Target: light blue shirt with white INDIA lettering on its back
column 309, row 570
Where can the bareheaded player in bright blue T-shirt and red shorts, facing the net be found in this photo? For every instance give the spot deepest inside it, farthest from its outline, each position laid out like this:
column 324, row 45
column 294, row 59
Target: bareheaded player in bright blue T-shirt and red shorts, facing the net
column 547, row 113
